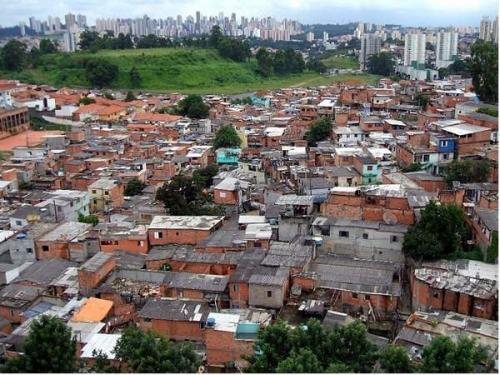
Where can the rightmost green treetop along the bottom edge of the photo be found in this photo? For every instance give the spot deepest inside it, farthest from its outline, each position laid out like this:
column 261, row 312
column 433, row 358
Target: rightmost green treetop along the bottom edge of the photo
column 443, row 355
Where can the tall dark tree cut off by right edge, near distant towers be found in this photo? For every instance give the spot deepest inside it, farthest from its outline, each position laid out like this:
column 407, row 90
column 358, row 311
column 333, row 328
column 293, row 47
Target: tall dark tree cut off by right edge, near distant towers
column 484, row 68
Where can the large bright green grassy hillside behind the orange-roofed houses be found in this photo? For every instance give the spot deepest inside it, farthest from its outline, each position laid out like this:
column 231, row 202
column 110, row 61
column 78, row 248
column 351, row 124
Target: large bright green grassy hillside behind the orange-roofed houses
column 200, row 71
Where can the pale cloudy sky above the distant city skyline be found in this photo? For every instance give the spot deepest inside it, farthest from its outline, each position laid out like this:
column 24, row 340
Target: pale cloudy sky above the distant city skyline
column 405, row 12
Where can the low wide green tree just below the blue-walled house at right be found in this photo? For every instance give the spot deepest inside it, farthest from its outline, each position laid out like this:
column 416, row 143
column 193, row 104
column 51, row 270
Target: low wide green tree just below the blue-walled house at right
column 467, row 171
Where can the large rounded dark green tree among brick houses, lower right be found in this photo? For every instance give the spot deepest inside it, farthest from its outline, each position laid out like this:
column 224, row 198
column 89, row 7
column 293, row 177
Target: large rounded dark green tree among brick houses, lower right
column 441, row 232
